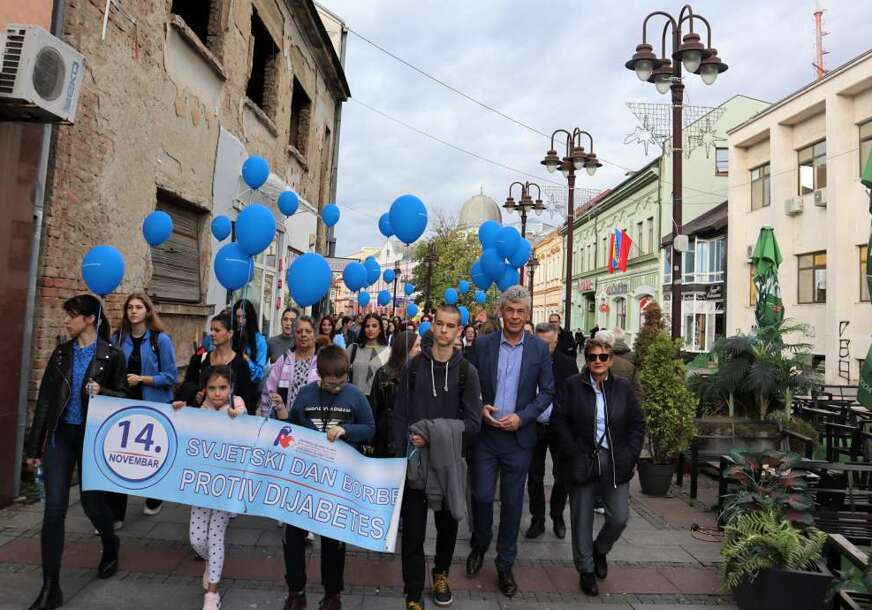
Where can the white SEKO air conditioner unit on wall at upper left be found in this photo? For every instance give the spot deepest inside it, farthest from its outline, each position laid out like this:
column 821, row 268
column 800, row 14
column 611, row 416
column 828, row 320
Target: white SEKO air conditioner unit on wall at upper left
column 40, row 76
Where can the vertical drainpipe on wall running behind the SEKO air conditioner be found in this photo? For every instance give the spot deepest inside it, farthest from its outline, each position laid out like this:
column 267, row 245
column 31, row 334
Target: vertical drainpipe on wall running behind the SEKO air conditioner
column 57, row 21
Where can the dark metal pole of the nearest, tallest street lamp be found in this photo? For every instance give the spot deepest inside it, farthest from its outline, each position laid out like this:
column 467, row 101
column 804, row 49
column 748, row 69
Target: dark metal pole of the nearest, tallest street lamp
column 677, row 152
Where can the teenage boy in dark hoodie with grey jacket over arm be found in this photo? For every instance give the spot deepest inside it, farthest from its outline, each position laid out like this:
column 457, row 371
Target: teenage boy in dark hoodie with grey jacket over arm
column 437, row 383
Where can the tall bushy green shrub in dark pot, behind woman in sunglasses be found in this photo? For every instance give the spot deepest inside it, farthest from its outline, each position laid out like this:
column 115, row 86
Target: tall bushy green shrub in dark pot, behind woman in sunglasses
column 669, row 406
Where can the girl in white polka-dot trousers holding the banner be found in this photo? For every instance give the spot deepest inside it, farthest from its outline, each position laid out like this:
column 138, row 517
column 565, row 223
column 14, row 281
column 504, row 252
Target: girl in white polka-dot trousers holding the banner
column 208, row 526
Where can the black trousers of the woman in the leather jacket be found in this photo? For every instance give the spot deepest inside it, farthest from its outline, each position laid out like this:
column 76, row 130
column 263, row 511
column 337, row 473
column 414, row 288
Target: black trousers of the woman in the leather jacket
column 62, row 455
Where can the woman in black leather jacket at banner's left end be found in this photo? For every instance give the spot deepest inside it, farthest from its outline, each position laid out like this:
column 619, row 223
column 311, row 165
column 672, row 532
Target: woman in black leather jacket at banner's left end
column 83, row 366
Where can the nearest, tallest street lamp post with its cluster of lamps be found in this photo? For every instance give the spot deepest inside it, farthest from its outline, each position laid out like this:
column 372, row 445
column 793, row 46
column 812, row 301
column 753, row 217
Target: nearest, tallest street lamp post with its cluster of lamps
column 665, row 73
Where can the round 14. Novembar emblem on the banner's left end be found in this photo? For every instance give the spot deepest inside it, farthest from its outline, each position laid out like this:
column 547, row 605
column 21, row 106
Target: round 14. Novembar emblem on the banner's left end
column 135, row 448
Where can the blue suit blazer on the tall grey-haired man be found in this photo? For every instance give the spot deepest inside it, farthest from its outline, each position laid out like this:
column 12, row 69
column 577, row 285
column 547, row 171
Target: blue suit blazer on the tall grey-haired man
column 535, row 387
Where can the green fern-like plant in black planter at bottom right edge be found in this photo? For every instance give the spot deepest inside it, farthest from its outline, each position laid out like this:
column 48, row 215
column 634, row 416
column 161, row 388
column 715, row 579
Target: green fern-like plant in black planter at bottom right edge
column 770, row 563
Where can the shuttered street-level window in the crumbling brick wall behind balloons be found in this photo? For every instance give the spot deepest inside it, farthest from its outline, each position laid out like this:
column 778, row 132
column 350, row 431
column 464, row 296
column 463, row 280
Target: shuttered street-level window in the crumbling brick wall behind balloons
column 176, row 262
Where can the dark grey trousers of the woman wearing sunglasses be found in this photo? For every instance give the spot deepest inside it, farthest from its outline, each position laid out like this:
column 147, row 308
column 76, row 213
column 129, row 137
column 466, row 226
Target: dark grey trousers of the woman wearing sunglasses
column 582, row 499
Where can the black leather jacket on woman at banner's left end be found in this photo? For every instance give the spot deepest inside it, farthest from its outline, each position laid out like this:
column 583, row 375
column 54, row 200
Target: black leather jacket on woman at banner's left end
column 107, row 368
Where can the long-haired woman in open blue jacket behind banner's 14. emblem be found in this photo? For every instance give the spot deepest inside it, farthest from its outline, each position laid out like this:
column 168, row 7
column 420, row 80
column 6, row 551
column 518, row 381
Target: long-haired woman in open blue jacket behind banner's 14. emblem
column 151, row 372
